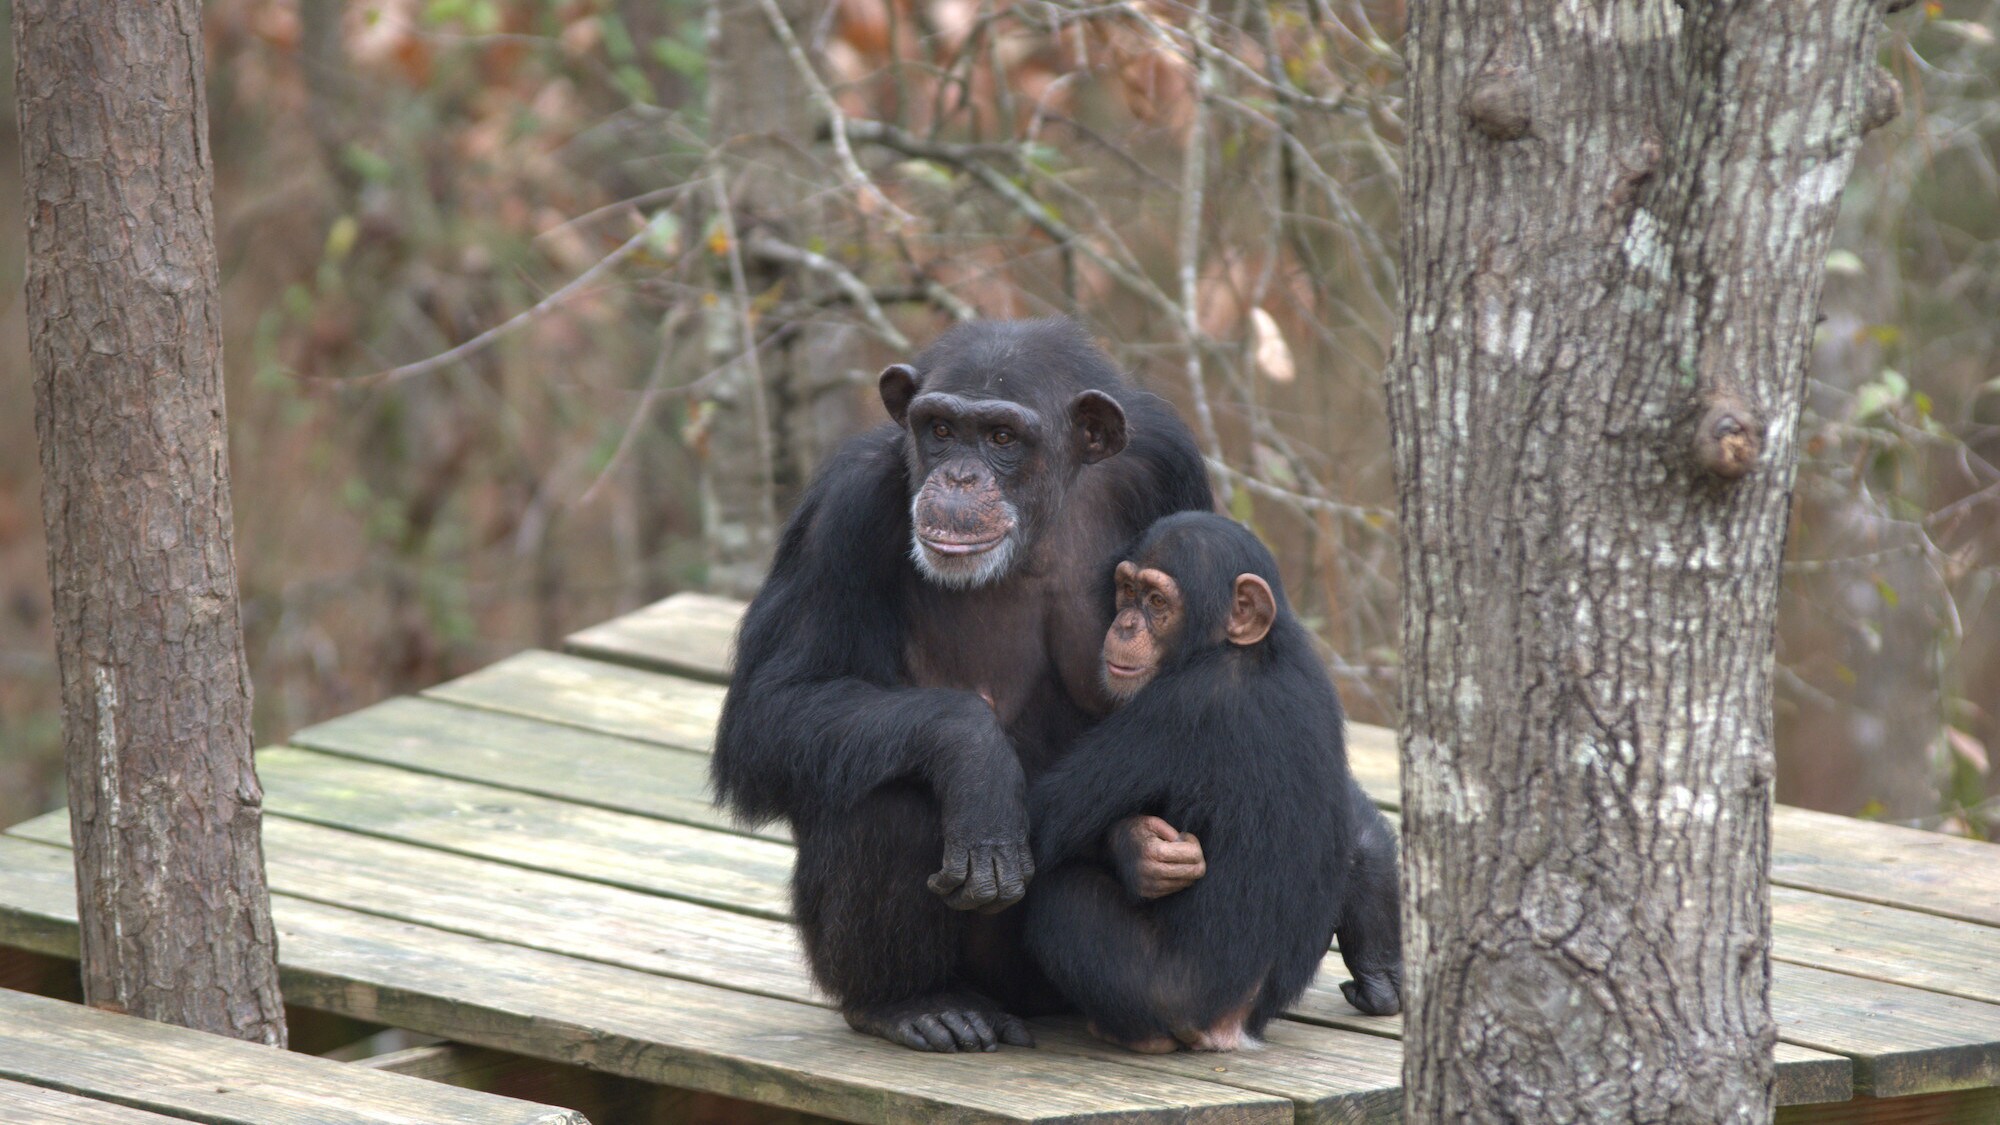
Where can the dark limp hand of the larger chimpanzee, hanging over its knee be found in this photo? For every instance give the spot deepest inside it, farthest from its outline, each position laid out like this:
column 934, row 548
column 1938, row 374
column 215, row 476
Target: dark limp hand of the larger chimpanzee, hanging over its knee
column 985, row 810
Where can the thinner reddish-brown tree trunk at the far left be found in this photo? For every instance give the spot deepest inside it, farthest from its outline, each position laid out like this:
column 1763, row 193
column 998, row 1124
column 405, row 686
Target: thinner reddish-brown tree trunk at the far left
column 127, row 343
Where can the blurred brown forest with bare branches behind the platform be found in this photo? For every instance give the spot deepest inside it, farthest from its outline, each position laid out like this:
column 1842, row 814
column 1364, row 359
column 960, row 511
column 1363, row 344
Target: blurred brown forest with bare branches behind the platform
column 525, row 329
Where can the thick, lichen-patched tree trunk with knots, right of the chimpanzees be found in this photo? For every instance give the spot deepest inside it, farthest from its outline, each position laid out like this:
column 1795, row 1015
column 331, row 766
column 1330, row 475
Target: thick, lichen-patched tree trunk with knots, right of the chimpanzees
column 1615, row 229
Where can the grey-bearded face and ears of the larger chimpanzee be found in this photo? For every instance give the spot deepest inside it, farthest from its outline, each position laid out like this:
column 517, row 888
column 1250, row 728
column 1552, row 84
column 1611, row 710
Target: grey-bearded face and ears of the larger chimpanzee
column 991, row 473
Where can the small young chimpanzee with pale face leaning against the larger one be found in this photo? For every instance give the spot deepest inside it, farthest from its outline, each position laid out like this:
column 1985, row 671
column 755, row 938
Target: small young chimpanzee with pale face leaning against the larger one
column 1233, row 732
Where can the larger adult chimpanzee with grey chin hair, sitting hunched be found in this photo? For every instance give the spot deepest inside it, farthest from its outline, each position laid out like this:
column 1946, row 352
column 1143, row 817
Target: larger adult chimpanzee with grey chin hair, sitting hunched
column 929, row 642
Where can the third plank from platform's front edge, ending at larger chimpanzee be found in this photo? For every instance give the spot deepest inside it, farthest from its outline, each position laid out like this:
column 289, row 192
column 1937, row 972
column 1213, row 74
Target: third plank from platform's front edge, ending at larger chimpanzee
column 701, row 866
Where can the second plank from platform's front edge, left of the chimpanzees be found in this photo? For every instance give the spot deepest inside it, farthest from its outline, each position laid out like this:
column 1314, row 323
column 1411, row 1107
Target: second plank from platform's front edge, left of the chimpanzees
column 523, row 908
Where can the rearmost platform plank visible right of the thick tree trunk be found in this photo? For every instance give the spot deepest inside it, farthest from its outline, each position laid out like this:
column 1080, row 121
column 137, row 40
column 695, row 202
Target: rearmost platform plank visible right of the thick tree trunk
column 1887, row 864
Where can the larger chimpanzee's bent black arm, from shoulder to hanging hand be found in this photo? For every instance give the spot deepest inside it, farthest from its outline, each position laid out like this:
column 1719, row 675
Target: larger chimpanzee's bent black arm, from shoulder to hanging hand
column 817, row 716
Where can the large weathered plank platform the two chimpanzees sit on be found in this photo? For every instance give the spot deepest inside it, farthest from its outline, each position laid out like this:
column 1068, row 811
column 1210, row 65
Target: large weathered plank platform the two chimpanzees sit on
column 527, row 860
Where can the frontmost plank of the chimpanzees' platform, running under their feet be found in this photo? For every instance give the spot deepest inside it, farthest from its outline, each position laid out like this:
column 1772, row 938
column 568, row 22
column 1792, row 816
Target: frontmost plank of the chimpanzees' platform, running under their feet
column 653, row 1028
